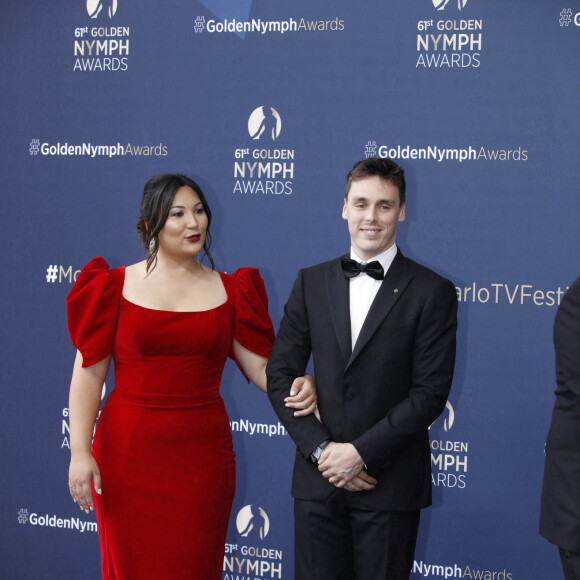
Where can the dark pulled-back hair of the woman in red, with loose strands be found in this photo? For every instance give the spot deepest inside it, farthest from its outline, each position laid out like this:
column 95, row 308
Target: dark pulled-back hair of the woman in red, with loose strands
column 157, row 198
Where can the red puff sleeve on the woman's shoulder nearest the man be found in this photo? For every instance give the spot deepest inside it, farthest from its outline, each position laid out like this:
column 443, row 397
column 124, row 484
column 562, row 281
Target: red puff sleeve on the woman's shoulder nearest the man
column 252, row 325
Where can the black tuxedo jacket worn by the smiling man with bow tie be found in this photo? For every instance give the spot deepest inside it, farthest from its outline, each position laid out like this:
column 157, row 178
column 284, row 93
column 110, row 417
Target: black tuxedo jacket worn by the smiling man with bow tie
column 383, row 394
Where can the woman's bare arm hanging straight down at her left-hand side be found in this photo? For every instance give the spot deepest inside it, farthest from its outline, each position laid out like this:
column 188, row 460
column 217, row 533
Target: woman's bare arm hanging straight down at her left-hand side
column 84, row 401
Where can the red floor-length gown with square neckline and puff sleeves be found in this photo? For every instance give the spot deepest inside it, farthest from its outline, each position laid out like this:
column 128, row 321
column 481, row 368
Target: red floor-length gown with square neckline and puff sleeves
column 163, row 441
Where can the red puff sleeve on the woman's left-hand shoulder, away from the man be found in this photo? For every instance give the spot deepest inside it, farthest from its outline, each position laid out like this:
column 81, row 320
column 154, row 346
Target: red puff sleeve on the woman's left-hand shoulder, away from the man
column 92, row 307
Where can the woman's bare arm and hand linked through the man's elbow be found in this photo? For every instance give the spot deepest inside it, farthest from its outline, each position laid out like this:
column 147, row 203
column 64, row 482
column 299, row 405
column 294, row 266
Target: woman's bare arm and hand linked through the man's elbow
column 302, row 396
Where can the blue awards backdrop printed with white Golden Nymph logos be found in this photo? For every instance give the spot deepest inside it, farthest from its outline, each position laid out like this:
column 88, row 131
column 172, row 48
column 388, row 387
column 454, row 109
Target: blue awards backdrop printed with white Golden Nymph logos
column 267, row 105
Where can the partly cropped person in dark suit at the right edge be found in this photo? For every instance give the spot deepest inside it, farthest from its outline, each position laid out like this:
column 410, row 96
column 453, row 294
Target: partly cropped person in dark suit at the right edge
column 560, row 513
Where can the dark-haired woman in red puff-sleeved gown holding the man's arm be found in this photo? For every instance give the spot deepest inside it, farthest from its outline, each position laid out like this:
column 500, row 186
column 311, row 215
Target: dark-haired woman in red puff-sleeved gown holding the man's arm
column 161, row 475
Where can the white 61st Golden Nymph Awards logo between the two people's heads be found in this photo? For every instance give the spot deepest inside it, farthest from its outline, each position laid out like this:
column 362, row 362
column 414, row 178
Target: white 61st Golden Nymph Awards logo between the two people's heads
column 261, row 169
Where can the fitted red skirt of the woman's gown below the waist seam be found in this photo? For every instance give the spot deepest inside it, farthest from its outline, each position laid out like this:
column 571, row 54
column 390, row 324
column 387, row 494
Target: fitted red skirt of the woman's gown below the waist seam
column 168, row 482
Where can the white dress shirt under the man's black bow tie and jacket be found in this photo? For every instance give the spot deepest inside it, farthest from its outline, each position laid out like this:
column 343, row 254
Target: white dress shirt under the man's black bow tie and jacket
column 363, row 289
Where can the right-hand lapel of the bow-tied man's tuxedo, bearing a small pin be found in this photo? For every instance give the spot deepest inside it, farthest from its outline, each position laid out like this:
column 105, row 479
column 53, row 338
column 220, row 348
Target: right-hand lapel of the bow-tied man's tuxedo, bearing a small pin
column 392, row 287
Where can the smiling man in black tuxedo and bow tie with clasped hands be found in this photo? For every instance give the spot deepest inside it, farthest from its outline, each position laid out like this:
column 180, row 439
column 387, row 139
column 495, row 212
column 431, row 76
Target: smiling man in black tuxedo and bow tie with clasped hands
column 381, row 330
